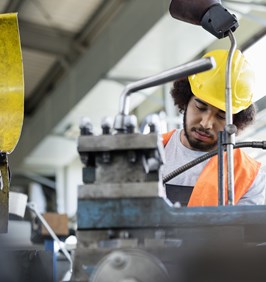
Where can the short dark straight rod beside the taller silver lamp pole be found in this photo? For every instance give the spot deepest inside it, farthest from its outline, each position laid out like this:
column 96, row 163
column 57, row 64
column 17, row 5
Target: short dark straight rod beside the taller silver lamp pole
column 221, row 197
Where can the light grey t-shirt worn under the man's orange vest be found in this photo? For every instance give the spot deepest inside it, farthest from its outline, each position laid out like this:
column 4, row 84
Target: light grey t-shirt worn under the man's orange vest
column 176, row 155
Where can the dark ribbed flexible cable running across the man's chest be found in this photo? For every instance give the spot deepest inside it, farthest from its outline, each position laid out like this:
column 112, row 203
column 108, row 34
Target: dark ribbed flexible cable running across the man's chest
column 181, row 169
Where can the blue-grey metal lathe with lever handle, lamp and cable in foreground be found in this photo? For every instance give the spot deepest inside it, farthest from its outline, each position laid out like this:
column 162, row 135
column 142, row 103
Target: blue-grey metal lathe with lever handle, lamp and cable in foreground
column 127, row 230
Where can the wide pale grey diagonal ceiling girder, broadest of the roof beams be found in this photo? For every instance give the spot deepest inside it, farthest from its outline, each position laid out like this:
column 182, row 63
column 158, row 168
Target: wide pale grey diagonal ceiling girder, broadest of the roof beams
column 133, row 21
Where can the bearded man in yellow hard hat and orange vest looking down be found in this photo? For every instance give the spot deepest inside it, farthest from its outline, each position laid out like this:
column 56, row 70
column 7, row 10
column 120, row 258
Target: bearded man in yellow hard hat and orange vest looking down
column 201, row 98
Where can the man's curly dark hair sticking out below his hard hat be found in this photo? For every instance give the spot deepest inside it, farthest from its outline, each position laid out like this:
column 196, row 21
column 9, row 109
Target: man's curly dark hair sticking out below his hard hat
column 181, row 93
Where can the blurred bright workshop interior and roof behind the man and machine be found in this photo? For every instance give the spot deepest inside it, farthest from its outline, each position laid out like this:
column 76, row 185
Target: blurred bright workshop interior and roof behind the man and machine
column 79, row 55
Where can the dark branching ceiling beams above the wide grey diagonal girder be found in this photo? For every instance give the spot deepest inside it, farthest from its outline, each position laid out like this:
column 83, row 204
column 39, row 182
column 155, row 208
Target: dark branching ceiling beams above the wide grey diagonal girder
column 67, row 47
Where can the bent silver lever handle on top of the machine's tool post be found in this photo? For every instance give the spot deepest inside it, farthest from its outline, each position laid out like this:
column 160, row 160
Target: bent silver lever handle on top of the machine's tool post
column 185, row 70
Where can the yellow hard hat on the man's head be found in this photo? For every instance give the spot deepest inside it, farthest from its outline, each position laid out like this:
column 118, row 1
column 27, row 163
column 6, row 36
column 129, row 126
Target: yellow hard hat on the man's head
column 209, row 86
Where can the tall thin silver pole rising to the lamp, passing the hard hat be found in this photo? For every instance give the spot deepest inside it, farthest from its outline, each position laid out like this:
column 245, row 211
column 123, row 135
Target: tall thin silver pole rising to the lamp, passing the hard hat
column 229, row 121
